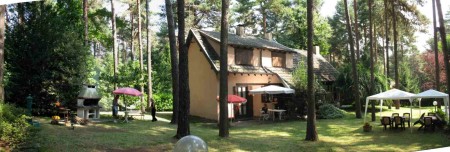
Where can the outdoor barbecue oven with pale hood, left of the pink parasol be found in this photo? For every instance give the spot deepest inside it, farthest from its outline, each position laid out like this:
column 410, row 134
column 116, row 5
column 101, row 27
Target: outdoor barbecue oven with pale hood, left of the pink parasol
column 87, row 103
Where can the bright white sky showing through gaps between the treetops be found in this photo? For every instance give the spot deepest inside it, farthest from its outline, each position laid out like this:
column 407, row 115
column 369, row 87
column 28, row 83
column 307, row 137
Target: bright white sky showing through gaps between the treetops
column 328, row 10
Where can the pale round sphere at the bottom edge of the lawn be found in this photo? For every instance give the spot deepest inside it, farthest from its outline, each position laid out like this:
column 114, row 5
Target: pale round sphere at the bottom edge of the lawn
column 191, row 144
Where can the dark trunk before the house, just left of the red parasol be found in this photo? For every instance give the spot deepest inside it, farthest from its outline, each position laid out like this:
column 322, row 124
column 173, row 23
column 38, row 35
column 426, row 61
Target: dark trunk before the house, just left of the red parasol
column 223, row 123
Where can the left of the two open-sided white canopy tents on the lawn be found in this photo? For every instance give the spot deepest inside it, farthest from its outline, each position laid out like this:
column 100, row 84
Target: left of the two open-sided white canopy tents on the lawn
column 393, row 94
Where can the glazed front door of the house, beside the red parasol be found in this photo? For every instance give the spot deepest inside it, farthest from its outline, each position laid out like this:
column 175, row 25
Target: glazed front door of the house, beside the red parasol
column 244, row 110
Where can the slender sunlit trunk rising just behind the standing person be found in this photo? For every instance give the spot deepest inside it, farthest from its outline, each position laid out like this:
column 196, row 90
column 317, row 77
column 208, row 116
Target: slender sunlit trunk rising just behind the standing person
column 149, row 56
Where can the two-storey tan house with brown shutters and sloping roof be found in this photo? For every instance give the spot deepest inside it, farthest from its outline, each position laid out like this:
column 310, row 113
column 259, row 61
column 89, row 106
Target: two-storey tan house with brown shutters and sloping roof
column 252, row 63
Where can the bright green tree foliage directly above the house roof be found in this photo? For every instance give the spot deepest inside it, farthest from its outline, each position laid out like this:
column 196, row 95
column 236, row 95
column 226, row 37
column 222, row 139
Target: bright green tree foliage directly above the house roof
column 286, row 19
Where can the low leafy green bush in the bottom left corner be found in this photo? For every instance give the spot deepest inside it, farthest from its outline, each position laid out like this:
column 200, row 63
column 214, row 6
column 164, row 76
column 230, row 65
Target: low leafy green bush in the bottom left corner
column 14, row 127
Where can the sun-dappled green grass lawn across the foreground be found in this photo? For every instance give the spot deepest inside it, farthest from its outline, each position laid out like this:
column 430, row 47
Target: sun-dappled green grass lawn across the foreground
column 334, row 135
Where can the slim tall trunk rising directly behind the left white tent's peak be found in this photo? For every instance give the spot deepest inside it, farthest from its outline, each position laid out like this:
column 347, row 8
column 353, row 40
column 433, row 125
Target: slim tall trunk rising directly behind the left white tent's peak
column 394, row 27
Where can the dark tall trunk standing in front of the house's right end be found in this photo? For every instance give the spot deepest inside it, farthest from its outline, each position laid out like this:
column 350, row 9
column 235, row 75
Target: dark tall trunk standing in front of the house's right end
column 311, row 132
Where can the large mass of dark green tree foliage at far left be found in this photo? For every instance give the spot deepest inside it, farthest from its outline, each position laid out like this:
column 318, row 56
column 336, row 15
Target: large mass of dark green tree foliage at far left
column 45, row 56
